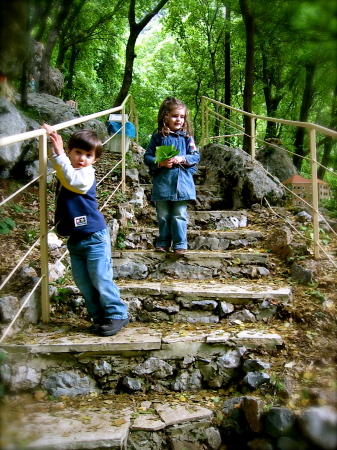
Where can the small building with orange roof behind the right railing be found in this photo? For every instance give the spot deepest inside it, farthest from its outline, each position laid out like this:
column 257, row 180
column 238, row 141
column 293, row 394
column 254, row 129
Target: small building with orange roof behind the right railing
column 303, row 189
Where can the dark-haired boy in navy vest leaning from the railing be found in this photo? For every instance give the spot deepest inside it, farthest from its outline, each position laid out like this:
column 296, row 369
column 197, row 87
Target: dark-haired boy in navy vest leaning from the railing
column 78, row 217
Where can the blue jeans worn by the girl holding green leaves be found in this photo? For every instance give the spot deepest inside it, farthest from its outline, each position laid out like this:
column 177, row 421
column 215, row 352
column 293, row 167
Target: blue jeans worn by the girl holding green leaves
column 172, row 222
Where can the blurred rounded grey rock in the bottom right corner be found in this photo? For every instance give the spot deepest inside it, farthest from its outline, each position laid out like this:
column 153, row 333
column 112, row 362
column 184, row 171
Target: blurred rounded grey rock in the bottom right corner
column 319, row 425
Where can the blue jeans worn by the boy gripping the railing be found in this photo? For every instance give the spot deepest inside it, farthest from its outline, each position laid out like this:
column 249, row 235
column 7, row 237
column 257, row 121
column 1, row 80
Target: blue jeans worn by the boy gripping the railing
column 92, row 272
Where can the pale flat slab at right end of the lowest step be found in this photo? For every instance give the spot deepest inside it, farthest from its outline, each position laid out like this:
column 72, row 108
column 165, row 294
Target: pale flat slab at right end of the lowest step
column 173, row 415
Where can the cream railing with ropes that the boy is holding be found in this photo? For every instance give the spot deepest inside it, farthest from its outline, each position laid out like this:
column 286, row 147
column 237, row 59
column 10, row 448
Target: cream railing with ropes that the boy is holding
column 42, row 179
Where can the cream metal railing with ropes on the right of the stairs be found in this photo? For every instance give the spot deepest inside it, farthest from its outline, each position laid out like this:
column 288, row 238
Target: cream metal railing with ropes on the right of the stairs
column 208, row 112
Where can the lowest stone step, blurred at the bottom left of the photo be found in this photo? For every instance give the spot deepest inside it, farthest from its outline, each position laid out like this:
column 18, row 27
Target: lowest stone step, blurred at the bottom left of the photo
column 111, row 423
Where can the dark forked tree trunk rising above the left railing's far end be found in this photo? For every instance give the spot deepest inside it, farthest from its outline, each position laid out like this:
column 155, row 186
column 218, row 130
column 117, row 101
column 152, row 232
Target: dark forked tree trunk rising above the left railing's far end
column 130, row 55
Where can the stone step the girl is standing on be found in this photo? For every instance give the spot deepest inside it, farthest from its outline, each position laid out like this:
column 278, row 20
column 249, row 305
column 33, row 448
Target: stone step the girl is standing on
column 197, row 265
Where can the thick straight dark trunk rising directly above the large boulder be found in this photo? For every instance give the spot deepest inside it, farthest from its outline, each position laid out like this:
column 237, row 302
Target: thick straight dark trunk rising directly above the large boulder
column 249, row 71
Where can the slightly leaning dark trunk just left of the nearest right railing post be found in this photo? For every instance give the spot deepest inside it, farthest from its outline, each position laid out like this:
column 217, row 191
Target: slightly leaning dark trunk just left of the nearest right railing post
column 304, row 114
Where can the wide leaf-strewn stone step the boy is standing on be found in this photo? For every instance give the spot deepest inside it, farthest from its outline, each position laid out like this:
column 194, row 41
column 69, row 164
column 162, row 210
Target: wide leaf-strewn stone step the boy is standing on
column 69, row 361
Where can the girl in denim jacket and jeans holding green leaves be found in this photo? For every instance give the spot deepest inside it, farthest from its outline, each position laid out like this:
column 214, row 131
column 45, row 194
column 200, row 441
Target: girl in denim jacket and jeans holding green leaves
column 173, row 183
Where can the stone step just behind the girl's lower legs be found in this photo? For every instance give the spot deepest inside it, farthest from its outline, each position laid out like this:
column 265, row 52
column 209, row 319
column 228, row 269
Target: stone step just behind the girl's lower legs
column 145, row 238
